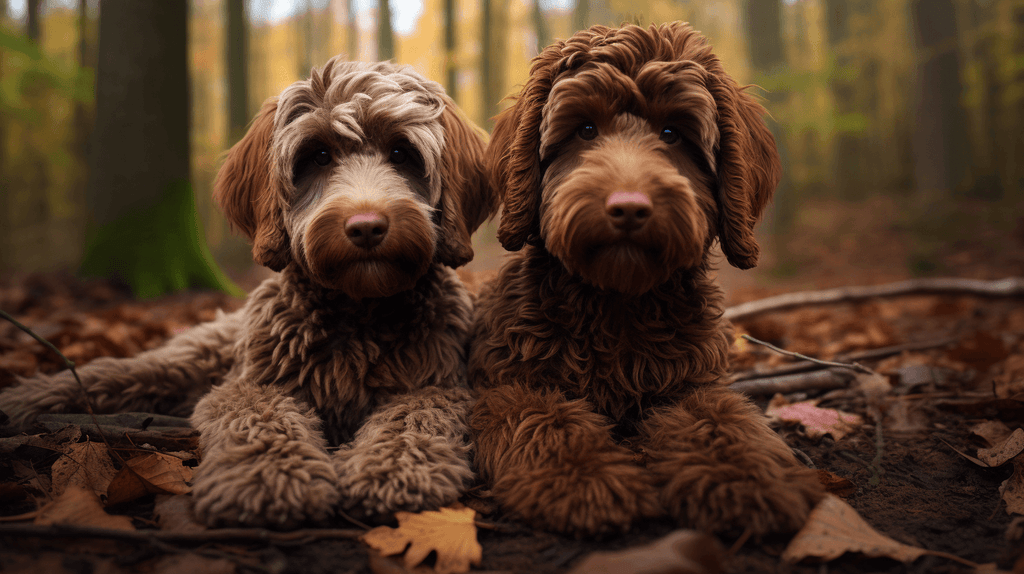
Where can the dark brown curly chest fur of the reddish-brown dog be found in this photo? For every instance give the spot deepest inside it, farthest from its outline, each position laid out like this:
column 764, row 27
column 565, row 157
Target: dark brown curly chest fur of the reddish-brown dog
column 541, row 326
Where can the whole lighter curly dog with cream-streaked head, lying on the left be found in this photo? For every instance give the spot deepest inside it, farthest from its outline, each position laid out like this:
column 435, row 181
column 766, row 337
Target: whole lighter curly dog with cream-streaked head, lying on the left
column 362, row 186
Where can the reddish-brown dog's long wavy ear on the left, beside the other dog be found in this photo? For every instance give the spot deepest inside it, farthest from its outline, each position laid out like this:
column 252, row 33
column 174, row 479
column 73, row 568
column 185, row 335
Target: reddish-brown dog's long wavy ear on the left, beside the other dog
column 514, row 156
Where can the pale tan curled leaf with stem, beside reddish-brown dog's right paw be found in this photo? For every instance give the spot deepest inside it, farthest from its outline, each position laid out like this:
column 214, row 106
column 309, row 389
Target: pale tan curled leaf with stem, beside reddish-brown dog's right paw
column 835, row 528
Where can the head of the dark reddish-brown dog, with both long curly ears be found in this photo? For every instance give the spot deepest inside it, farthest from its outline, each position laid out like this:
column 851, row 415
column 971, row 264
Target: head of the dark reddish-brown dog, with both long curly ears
column 628, row 152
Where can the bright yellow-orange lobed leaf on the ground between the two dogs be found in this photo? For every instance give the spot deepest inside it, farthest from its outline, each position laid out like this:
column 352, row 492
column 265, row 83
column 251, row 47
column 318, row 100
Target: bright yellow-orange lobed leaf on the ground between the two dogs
column 450, row 533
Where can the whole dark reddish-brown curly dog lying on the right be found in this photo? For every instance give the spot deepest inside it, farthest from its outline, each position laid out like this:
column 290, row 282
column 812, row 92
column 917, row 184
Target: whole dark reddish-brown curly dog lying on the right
column 601, row 347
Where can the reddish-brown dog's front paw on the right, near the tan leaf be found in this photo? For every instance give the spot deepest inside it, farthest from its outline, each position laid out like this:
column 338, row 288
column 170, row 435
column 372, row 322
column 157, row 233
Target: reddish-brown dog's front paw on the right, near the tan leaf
column 759, row 497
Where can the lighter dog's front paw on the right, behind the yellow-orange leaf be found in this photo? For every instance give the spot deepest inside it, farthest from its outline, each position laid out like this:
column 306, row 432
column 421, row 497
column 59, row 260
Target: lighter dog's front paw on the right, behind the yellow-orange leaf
column 412, row 472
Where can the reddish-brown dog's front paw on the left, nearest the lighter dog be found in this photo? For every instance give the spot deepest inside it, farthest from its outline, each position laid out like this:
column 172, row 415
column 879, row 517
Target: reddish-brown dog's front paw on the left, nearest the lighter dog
column 580, row 498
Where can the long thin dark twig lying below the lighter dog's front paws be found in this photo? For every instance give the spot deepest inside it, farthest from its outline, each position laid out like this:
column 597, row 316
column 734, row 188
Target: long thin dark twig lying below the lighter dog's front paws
column 201, row 538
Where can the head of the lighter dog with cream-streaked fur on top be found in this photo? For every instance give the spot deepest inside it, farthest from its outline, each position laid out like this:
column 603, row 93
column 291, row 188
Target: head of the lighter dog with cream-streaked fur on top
column 362, row 175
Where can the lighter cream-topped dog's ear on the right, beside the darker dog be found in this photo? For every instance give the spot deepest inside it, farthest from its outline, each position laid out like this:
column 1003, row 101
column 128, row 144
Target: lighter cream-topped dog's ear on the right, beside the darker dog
column 467, row 198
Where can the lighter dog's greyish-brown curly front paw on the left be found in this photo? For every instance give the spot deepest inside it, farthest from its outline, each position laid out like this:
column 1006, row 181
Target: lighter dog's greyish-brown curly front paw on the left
column 279, row 489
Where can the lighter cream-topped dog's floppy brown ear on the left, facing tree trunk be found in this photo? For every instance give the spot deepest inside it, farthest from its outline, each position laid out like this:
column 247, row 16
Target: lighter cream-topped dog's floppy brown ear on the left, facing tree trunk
column 246, row 192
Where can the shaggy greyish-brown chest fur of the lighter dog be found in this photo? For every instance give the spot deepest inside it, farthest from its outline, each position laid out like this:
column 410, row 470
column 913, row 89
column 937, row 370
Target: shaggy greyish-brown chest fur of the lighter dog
column 346, row 358
